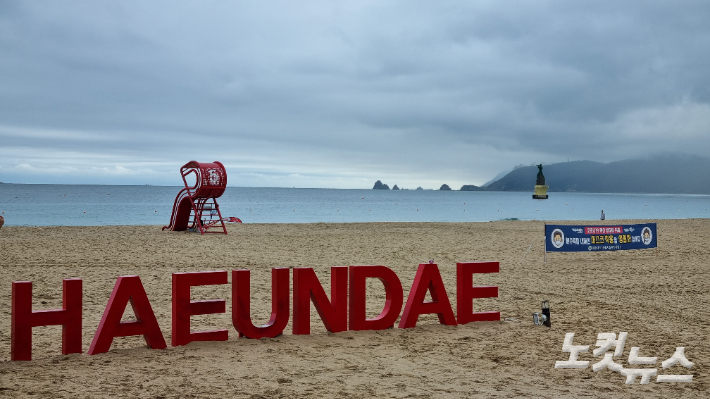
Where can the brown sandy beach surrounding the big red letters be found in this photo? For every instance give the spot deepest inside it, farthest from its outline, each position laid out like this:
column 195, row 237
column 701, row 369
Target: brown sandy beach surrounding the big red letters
column 659, row 297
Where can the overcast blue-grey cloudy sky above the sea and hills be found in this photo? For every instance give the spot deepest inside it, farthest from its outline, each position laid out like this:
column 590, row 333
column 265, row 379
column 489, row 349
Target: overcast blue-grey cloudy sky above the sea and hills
column 341, row 94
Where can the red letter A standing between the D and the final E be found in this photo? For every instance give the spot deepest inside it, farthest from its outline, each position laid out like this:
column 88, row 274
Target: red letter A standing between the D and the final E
column 427, row 278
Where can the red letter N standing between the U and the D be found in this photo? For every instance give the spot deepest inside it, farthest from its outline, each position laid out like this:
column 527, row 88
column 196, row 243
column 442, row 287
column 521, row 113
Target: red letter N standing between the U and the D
column 306, row 287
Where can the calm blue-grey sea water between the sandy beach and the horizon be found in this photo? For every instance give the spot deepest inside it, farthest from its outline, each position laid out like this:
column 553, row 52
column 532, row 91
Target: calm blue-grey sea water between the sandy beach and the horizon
column 97, row 205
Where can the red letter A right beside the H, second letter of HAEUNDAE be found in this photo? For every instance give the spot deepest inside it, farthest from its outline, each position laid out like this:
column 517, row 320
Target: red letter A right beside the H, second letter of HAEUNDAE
column 127, row 288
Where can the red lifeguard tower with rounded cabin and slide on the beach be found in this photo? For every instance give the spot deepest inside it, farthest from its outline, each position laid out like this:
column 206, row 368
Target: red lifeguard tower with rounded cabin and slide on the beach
column 192, row 202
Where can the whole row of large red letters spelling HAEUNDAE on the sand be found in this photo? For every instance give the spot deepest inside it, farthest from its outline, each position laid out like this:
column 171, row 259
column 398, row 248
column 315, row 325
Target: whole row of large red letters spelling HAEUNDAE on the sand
column 344, row 311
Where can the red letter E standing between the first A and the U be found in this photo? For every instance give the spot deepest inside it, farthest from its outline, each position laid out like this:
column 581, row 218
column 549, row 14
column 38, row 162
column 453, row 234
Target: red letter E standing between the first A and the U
column 183, row 307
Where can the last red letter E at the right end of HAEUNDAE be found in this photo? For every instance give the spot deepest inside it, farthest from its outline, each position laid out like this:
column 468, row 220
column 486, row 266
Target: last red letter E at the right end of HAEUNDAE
column 465, row 292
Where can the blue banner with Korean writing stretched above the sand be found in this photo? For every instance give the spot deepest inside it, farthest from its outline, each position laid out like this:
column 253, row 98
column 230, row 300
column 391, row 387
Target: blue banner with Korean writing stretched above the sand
column 566, row 238
